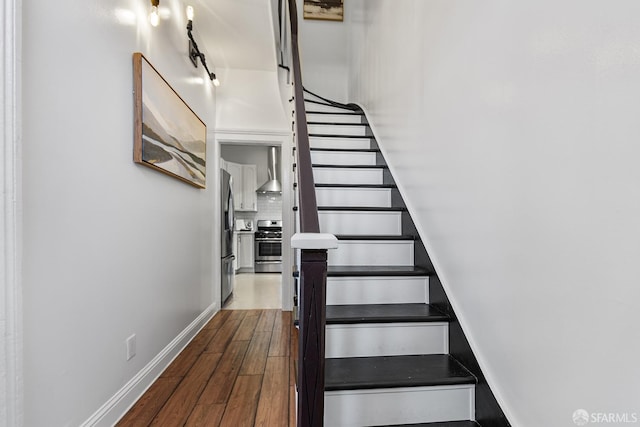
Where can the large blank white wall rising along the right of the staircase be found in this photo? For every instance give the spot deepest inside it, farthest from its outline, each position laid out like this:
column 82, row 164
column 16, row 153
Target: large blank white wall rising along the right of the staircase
column 512, row 128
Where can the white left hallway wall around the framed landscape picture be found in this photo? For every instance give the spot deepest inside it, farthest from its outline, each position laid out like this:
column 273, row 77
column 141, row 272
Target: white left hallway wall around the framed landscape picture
column 111, row 248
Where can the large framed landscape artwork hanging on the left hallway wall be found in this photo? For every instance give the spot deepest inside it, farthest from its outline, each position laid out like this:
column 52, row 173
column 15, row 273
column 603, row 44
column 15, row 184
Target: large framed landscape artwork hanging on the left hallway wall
column 169, row 136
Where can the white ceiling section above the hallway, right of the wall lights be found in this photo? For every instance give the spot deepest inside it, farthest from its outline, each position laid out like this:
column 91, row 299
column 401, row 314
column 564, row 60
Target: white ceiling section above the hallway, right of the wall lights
column 236, row 33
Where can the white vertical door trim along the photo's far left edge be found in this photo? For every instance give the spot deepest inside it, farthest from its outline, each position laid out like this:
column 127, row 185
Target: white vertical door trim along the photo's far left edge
column 11, row 407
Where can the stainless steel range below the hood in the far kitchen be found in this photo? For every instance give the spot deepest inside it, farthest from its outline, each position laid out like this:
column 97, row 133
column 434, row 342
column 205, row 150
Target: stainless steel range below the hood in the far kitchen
column 268, row 253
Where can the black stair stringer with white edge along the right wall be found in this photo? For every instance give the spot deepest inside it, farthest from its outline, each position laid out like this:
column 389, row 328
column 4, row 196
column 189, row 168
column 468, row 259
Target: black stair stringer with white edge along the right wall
column 488, row 410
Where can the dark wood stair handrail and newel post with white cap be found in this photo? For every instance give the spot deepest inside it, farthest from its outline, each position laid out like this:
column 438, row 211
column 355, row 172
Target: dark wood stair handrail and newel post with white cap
column 310, row 244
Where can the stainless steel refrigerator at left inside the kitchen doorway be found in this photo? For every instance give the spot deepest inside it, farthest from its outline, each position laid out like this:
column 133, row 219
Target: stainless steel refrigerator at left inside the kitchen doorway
column 226, row 234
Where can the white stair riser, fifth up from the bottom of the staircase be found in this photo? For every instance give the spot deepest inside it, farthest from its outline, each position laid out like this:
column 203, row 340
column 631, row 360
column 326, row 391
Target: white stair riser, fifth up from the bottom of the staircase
column 349, row 222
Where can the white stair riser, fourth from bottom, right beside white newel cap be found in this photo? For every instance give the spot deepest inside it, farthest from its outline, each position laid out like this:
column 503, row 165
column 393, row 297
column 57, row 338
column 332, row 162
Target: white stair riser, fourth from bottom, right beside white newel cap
column 372, row 252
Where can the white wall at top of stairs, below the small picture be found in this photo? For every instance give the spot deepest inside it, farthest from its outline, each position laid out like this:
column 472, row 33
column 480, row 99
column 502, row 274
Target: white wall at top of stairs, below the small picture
column 323, row 53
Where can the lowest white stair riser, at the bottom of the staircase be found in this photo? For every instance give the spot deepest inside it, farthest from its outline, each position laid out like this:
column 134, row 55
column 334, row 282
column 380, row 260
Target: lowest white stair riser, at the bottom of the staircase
column 411, row 405
